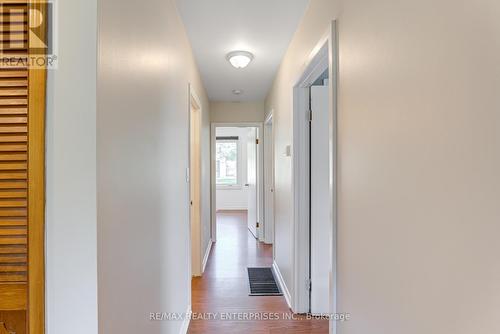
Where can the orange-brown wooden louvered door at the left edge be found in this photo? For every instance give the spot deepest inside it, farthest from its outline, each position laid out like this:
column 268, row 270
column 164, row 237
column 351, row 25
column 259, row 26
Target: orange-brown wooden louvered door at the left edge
column 22, row 106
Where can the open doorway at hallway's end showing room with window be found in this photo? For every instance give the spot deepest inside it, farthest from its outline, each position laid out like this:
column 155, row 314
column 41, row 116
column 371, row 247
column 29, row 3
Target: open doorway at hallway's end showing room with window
column 237, row 174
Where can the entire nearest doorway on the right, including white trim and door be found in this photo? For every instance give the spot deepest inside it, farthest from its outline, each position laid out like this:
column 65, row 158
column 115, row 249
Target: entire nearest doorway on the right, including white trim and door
column 314, row 181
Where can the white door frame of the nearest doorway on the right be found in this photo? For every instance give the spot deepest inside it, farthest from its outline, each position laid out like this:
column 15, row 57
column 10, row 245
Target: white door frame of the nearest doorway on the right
column 324, row 55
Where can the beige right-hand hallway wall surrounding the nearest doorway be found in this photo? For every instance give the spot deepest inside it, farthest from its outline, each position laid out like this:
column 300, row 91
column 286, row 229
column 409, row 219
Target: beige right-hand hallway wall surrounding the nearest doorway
column 419, row 155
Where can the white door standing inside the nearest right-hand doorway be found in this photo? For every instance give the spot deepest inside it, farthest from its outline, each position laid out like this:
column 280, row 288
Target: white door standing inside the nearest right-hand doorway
column 320, row 206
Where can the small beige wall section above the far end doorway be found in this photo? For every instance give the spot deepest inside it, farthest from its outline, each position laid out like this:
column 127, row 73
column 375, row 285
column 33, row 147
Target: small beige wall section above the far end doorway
column 235, row 112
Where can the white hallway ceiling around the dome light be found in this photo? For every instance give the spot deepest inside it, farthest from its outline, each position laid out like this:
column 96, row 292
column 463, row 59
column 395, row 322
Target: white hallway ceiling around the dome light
column 217, row 27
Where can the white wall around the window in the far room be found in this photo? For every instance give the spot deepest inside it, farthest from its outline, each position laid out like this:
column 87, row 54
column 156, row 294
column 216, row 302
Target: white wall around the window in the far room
column 235, row 198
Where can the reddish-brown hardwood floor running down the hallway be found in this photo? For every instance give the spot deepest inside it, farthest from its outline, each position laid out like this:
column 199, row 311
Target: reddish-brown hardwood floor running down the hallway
column 223, row 289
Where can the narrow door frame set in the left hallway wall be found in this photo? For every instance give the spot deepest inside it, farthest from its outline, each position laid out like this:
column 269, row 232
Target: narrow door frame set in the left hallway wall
column 195, row 261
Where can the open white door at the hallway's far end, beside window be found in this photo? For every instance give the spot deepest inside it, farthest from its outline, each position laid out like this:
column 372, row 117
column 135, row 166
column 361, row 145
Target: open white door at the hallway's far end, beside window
column 252, row 180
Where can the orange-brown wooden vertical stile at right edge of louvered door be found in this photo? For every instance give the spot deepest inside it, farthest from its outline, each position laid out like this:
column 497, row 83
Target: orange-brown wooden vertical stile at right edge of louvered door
column 37, row 91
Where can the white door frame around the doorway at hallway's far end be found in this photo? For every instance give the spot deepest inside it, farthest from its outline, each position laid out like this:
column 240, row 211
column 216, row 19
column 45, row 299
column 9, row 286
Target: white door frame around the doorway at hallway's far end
column 260, row 169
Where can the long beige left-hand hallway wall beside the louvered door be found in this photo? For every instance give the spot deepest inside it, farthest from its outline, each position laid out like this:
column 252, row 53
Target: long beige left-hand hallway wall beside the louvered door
column 145, row 65
